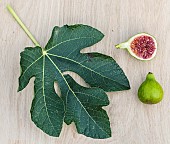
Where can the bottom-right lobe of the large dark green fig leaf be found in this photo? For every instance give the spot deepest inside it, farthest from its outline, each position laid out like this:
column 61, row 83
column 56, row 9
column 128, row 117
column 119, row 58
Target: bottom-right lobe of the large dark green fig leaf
column 84, row 107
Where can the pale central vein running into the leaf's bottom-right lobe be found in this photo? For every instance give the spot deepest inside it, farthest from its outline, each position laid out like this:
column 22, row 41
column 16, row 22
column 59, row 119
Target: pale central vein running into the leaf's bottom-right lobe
column 74, row 93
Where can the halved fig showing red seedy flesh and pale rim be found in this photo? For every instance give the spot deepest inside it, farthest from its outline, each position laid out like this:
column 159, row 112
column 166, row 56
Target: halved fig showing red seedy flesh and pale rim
column 142, row 46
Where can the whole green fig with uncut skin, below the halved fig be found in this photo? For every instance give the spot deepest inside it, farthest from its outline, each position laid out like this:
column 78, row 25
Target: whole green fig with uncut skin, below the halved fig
column 150, row 91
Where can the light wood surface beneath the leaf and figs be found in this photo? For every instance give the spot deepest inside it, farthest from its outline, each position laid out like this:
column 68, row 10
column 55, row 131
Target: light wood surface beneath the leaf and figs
column 131, row 121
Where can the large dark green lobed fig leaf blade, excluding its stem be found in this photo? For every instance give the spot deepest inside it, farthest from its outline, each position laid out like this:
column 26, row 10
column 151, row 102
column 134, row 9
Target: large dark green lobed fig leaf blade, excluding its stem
column 61, row 54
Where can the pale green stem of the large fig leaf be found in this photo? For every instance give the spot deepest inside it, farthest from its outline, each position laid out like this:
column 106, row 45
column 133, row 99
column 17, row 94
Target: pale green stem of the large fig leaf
column 10, row 9
